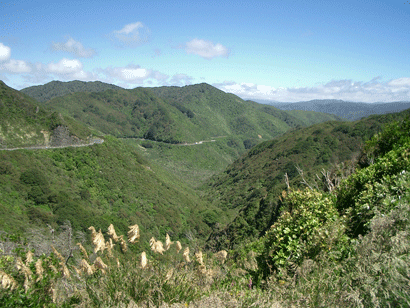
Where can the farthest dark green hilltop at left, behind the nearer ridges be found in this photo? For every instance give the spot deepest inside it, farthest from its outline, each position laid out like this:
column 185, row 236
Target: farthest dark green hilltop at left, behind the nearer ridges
column 43, row 93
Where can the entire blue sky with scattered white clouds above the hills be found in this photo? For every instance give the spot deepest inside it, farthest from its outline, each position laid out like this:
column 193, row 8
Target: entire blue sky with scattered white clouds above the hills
column 274, row 50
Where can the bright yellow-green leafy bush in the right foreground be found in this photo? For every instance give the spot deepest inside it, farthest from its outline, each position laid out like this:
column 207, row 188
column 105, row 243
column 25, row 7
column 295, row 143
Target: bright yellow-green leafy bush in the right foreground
column 309, row 225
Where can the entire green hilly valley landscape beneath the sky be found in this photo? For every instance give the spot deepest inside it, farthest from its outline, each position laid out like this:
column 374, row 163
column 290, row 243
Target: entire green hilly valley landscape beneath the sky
column 273, row 188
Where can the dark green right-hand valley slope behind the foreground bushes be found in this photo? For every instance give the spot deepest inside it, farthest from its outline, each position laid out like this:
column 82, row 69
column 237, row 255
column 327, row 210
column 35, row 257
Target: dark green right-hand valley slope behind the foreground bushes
column 251, row 186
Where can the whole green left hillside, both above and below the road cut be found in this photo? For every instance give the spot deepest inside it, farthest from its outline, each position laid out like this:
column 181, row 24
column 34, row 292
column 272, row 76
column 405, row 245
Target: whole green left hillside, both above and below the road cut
column 96, row 184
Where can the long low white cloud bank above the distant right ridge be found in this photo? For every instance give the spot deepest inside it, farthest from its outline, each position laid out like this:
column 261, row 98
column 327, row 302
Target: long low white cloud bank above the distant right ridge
column 373, row 91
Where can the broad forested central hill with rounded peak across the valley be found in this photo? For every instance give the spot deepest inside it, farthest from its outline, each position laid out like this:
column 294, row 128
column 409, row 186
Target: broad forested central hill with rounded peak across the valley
column 179, row 114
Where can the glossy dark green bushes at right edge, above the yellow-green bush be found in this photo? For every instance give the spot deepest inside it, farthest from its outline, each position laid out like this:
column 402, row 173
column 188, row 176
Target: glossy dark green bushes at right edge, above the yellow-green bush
column 363, row 194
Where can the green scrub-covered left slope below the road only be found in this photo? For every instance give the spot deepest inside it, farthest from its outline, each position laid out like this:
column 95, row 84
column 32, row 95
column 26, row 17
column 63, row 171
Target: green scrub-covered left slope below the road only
column 95, row 185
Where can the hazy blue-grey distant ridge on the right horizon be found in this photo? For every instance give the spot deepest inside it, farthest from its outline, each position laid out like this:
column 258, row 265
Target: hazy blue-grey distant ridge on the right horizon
column 348, row 110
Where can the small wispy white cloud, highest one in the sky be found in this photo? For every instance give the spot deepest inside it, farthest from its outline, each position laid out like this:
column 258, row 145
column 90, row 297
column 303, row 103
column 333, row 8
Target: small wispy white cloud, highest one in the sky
column 131, row 35
